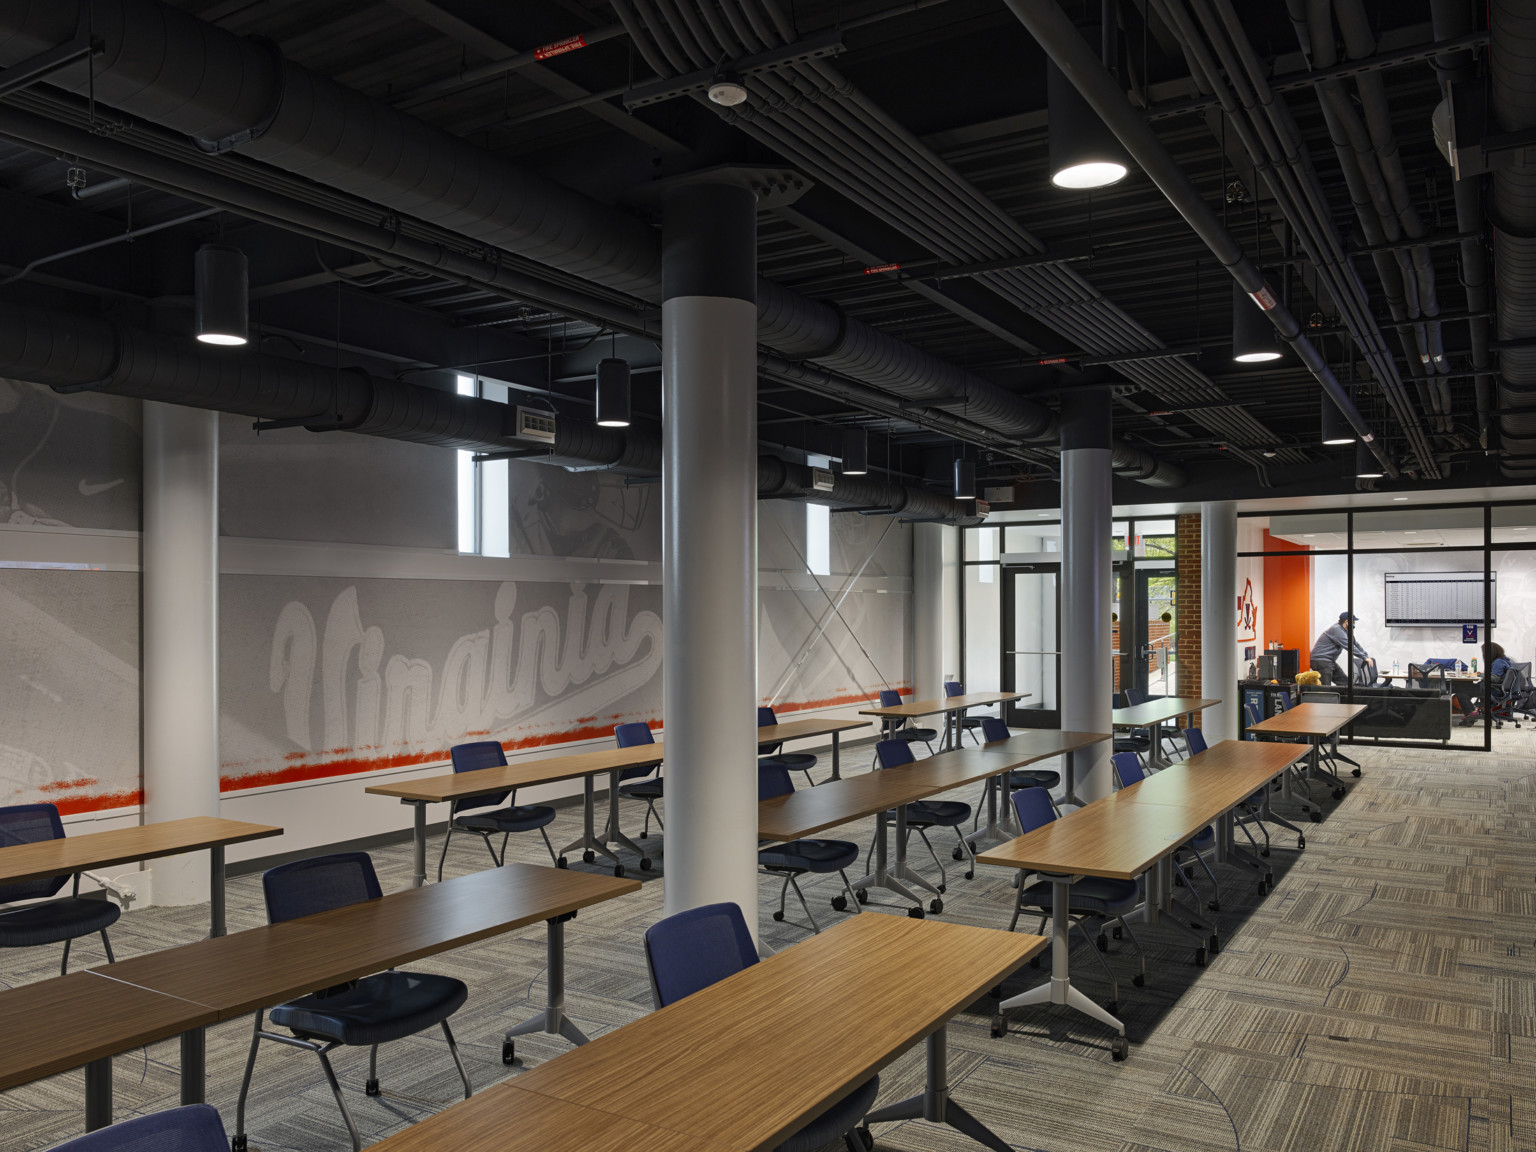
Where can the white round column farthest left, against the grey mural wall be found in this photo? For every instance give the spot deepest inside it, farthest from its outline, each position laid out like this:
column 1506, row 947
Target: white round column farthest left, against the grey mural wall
column 180, row 634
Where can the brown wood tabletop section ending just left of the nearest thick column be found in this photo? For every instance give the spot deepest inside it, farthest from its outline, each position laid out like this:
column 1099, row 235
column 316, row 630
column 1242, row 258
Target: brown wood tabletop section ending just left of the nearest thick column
column 263, row 967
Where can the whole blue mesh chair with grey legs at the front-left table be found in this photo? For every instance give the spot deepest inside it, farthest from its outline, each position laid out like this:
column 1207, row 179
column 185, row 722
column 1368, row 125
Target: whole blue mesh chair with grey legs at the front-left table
column 371, row 1011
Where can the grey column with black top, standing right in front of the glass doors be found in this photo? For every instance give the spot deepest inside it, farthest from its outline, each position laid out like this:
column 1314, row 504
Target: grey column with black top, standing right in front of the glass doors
column 1088, row 677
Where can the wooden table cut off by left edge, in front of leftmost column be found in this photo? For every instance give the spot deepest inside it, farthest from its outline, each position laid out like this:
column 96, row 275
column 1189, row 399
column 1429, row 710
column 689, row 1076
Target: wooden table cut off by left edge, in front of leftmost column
column 144, row 842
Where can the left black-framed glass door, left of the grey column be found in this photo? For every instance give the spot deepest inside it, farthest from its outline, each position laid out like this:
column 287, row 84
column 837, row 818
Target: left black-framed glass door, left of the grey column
column 1031, row 652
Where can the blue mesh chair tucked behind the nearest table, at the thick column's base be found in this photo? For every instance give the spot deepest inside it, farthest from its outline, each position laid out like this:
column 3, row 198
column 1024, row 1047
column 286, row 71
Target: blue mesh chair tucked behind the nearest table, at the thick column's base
column 694, row 950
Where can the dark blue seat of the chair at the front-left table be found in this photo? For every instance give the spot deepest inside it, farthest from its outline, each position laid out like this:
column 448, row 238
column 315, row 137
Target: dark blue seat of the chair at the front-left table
column 377, row 1010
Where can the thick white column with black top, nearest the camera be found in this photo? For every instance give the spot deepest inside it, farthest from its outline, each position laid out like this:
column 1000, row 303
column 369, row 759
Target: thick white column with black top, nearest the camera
column 710, row 546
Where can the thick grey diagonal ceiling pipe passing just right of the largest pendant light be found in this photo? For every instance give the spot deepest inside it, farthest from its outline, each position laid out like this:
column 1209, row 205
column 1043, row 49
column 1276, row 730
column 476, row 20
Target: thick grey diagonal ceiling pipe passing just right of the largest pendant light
column 1051, row 27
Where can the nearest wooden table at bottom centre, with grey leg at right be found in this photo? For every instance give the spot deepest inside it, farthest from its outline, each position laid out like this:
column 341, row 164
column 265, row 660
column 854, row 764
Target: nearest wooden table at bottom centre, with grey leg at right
column 846, row 1004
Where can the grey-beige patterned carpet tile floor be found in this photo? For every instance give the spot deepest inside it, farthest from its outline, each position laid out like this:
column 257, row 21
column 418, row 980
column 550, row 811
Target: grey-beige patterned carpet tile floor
column 1382, row 999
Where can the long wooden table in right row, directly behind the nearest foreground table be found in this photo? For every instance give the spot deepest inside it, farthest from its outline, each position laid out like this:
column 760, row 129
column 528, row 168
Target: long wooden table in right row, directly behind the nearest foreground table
column 1130, row 835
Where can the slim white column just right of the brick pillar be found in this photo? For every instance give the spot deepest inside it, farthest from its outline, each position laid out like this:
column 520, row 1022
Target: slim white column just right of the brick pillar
column 1219, row 618
